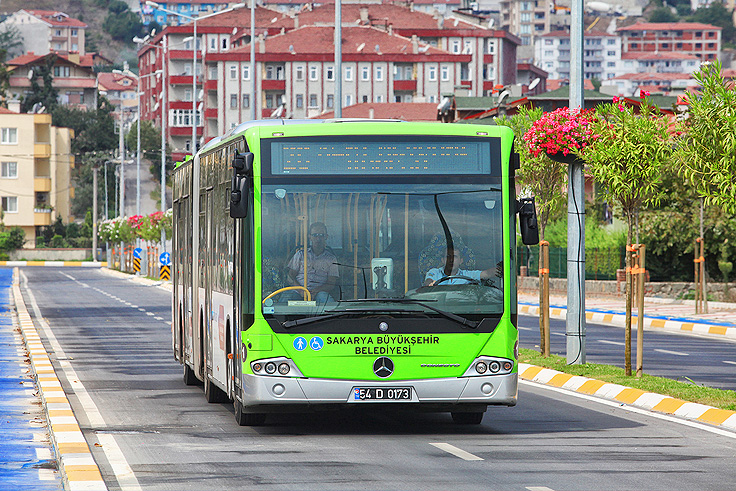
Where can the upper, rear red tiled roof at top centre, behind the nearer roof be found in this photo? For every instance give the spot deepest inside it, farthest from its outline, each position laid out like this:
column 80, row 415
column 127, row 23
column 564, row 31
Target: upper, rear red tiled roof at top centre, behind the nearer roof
column 379, row 13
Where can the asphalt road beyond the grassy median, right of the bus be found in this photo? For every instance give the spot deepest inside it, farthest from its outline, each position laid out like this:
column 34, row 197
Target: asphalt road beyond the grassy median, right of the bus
column 702, row 360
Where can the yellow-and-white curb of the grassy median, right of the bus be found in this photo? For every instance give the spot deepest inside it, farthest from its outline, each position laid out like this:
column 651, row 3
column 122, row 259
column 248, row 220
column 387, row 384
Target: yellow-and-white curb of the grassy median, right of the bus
column 627, row 395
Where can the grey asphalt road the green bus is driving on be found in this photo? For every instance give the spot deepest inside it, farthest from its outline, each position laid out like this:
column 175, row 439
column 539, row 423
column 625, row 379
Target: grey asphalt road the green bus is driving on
column 147, row 430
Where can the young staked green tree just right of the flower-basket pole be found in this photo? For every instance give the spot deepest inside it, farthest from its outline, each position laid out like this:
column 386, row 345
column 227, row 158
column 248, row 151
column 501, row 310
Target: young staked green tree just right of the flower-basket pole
column 627, row 159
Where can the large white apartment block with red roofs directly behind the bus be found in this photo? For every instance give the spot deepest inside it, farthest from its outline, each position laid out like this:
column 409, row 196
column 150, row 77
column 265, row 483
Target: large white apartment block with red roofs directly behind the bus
column 439, row 56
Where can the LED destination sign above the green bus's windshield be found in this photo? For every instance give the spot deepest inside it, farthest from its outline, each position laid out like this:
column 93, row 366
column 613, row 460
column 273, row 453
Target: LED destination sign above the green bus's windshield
column 457, row 156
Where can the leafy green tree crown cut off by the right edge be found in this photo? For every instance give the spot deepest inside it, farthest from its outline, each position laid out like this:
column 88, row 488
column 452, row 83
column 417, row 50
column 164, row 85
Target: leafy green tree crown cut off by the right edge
column 707, row 150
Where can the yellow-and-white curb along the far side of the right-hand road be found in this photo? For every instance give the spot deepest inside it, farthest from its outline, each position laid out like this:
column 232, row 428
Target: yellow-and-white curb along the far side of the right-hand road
column 619, row 320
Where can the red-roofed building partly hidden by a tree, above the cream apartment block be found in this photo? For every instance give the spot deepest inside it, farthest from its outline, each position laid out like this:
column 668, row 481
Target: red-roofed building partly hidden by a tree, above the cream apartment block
column 73, row 76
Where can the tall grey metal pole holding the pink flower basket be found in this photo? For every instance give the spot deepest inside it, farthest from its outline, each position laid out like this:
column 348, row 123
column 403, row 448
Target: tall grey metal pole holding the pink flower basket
column 575, row 327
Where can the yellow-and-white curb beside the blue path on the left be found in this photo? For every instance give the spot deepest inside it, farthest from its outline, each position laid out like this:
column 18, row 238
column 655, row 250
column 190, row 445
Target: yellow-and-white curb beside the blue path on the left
column 77, row 467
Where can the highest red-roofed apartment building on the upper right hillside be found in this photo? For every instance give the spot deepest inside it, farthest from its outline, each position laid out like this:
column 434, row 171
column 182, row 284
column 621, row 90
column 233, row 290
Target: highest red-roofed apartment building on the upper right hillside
column 700, row 40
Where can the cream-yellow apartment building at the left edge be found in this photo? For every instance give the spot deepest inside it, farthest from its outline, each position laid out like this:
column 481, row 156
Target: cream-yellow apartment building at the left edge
column 35, row 171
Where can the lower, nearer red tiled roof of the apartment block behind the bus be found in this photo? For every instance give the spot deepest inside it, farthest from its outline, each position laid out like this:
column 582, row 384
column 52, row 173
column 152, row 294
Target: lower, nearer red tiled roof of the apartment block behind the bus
column 320, row 40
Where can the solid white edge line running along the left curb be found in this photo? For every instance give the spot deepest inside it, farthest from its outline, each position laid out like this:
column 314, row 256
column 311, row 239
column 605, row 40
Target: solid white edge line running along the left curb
column 123, row 473
